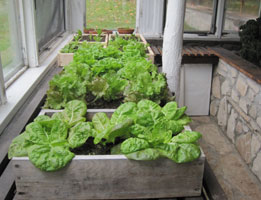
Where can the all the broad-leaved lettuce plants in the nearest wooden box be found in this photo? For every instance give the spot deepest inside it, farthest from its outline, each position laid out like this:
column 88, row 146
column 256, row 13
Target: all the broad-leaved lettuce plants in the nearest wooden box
column 146, row 131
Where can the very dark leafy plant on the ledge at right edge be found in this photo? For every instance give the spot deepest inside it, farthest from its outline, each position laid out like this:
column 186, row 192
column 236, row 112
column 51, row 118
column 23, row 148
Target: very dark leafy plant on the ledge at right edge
column 250, row 37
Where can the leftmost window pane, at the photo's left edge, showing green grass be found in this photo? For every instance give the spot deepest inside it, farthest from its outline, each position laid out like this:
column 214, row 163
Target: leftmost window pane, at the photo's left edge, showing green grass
column 10, row 47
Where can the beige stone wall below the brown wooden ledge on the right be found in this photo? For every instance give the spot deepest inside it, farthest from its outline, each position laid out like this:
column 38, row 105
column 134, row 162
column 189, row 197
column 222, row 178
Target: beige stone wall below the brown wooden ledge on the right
column 236, row 104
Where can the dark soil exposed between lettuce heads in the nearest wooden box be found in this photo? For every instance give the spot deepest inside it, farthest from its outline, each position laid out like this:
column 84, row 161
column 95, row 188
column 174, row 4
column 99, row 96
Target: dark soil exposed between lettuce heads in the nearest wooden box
column 89, row 148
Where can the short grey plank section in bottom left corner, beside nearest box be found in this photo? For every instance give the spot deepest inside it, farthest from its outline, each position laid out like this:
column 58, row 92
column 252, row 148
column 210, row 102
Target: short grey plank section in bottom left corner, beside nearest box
column 6, row 181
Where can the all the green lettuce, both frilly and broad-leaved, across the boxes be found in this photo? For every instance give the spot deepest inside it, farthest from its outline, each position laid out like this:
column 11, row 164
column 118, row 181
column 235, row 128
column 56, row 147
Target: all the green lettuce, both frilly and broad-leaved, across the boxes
column 139, row 128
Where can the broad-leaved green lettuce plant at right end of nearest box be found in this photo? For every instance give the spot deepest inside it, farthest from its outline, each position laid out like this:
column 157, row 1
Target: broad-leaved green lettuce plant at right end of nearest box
column 156, row 132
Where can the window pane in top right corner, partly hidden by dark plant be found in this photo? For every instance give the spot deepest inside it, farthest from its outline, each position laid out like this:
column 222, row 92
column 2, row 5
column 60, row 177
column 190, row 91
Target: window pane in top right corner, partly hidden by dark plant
column 240, row 11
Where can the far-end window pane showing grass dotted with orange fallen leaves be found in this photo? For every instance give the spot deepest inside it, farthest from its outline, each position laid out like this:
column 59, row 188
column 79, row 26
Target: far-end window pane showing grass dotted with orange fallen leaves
column 111, row 14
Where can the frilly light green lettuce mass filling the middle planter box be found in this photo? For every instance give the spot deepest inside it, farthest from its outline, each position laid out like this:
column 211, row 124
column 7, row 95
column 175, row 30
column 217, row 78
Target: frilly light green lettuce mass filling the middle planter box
column 118, row 72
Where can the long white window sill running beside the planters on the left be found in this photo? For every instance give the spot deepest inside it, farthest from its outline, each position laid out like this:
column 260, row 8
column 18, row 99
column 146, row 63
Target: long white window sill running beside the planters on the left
column 20, row 90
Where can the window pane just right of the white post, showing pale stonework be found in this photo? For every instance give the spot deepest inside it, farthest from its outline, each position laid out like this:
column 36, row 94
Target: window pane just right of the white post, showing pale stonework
column 198, row 15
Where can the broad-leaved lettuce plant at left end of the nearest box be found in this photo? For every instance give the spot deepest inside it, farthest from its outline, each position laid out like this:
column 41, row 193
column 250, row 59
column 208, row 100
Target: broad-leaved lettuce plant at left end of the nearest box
column 47, row 141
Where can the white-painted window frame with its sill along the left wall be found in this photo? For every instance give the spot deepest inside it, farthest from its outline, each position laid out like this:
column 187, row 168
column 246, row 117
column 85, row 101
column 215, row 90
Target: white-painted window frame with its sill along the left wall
column 25, row 81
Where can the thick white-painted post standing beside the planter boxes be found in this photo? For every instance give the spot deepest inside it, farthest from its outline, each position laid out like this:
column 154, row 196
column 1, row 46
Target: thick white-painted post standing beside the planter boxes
column 173, row 42
